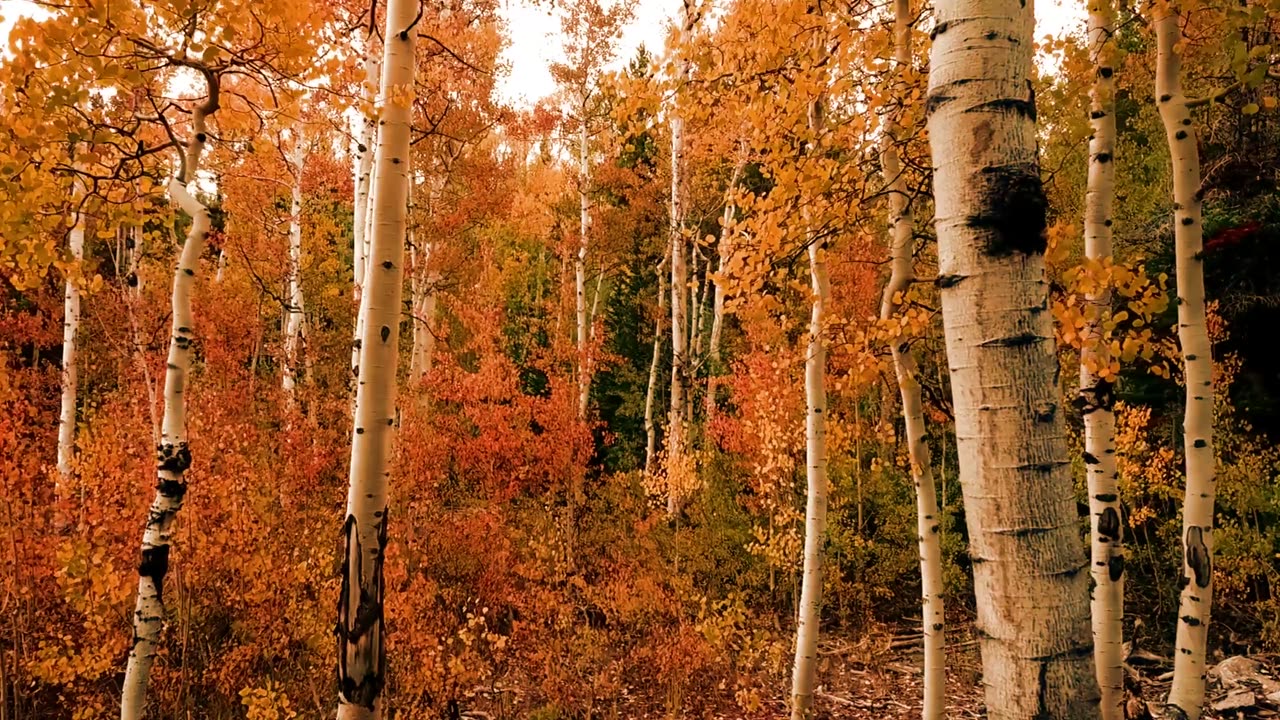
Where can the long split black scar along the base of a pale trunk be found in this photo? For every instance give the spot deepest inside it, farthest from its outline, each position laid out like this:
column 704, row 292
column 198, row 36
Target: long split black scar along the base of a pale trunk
column 360, row 627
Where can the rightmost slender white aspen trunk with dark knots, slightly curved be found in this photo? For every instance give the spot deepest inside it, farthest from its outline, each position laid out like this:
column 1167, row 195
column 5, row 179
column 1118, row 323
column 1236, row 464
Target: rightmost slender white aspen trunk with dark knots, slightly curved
column 1187, row 695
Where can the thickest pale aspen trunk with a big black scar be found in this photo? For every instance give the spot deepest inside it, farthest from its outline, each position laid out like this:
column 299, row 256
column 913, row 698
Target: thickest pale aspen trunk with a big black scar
column 1030, row 580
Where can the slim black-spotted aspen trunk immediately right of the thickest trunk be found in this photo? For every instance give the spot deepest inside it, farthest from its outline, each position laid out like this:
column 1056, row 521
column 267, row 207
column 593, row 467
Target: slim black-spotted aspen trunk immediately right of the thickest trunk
column 1096, row 398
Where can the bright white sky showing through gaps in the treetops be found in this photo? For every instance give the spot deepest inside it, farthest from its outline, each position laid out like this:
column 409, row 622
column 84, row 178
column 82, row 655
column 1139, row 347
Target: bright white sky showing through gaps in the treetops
column 534, row 43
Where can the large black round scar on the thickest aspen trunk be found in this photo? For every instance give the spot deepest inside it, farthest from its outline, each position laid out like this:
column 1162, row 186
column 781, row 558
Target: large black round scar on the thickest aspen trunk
column 1013, row 211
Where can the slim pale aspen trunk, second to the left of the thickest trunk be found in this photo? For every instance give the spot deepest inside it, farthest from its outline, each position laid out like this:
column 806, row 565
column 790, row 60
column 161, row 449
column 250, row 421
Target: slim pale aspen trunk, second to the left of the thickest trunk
column 816, row 463
